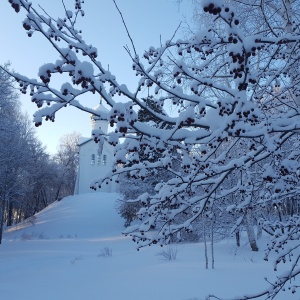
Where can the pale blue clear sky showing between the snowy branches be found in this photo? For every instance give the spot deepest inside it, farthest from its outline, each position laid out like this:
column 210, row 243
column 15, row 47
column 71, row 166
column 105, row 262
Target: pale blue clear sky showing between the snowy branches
column 102, row 27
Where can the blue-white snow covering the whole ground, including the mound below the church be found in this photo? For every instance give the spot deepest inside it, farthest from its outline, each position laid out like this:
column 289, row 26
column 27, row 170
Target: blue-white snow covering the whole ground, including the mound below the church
column 61, row 257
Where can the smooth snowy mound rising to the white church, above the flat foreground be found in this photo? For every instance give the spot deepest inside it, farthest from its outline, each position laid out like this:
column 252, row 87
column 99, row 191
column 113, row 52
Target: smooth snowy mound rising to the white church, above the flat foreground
column 85, row 216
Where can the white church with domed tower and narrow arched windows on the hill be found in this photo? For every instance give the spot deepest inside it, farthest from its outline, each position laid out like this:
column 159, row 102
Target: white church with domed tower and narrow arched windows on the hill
column 94, row 162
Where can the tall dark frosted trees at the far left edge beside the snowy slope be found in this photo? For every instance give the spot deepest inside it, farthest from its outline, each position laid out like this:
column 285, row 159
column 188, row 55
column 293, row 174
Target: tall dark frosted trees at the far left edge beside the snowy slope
column 26, row 172
